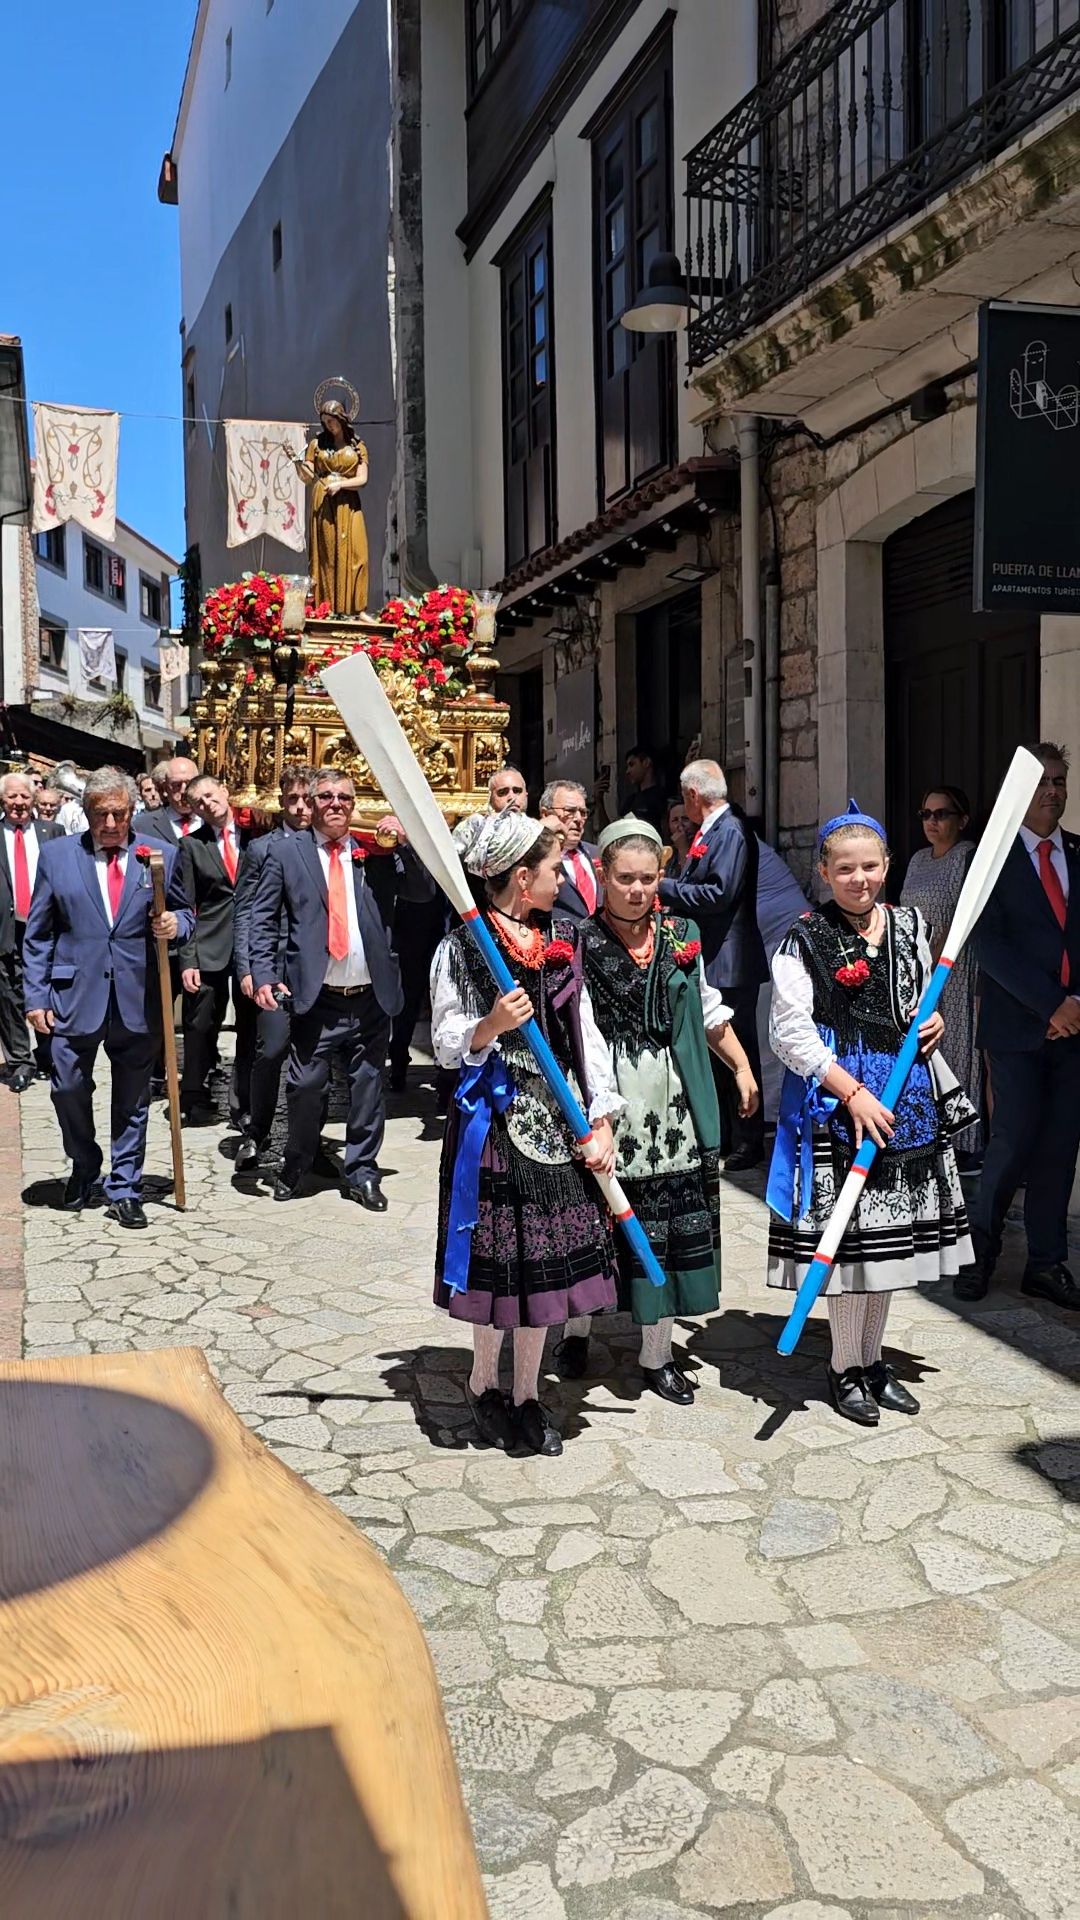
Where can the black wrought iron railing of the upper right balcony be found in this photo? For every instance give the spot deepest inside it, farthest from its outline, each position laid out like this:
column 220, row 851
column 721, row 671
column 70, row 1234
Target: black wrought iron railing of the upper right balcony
column 877, row 110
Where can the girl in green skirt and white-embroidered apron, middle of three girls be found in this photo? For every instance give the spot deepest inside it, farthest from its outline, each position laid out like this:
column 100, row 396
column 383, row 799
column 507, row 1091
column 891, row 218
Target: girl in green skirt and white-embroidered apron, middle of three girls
column 658, row 1015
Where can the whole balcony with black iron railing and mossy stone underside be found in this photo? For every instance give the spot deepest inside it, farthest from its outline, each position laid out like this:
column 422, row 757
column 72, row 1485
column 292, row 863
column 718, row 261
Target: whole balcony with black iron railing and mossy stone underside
column 873, row 120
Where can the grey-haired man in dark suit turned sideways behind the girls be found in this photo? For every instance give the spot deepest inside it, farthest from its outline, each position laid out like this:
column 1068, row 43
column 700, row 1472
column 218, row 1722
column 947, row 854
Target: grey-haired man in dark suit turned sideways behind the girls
column 718, row 888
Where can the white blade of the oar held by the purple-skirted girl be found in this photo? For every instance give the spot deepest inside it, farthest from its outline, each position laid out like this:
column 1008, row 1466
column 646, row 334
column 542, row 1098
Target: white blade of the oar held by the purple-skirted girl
column 358, row 694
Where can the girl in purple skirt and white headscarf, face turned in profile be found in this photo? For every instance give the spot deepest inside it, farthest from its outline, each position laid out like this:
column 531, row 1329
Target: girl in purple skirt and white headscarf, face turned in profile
column 524, row 1236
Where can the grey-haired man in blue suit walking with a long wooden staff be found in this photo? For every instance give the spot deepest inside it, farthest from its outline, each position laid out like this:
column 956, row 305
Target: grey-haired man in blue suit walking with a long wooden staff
column 91, row 980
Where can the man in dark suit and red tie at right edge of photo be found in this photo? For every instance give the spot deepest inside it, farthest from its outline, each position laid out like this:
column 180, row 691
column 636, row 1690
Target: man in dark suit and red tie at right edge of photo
column 1027, row 946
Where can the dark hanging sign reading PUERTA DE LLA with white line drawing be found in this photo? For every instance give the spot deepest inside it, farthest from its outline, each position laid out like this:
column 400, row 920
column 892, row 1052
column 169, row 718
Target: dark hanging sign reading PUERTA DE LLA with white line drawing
column 1027, row 506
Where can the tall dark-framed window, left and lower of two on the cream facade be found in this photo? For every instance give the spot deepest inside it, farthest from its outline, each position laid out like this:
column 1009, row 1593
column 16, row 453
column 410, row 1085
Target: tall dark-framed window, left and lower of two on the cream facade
column 529, row 393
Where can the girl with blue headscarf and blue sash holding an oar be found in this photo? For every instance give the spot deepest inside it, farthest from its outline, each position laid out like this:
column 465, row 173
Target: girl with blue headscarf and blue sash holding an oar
column 847, row 984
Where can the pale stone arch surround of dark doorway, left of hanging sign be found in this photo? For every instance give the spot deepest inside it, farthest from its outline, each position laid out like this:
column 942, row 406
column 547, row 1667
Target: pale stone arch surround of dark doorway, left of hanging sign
column 893, row 489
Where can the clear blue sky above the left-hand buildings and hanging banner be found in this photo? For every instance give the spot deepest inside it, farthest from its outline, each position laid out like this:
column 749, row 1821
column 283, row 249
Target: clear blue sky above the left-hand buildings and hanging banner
column 89, row 266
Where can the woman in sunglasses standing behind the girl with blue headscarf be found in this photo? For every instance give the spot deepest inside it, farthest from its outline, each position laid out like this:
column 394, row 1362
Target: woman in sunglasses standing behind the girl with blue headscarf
column 933, row 884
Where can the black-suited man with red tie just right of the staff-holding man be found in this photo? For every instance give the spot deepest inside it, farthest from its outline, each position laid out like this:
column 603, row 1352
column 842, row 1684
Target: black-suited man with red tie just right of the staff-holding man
column 210, row 863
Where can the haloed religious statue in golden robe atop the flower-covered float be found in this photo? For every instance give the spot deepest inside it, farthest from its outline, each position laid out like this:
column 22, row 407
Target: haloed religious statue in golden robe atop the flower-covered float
column 335, row 469
